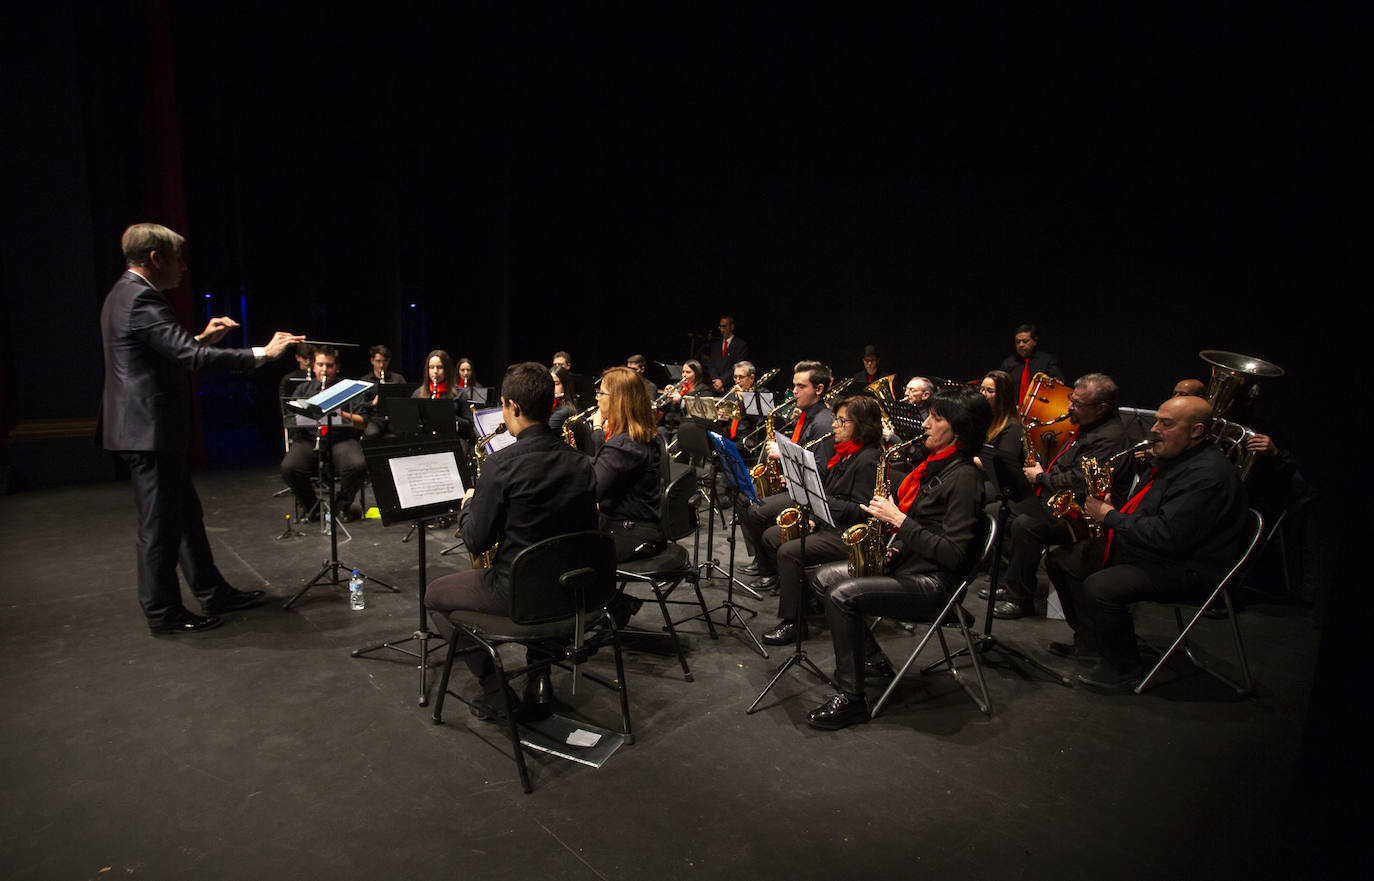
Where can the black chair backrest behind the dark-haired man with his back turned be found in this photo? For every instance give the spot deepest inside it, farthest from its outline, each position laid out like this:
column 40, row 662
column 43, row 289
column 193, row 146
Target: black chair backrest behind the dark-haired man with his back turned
column 549, row 578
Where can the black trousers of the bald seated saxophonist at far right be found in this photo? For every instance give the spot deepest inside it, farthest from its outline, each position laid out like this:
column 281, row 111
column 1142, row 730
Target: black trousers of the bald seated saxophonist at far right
column 1097, row 601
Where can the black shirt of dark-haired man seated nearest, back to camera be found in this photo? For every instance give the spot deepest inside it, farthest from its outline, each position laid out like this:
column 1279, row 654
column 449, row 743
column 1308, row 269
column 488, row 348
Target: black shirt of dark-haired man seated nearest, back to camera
column 534, row 490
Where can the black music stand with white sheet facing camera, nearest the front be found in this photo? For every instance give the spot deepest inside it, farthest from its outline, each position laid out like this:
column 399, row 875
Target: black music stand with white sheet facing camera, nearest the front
column 416, row 479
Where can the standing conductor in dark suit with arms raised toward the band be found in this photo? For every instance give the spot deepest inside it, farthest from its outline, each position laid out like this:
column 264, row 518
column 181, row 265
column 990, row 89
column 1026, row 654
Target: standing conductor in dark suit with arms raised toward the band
column 146, row 420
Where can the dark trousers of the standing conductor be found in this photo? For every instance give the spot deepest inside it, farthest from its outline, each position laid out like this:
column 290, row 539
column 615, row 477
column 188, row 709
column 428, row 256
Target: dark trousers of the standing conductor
column 171, row 534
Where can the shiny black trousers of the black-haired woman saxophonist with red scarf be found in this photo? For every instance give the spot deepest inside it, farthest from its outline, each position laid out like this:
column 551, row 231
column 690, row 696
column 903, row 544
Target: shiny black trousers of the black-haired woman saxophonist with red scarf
column 909, row 599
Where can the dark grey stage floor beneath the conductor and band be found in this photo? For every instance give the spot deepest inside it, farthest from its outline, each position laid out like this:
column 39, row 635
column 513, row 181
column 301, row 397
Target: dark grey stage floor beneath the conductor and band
column 266, row 750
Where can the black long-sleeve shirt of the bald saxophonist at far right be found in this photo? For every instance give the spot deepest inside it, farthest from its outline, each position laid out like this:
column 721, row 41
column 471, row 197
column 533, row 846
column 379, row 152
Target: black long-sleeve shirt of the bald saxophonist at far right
column 1193, row 516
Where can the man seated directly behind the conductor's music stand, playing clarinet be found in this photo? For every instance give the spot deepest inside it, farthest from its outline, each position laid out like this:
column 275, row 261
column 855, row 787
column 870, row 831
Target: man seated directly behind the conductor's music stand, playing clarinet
column 302, row 460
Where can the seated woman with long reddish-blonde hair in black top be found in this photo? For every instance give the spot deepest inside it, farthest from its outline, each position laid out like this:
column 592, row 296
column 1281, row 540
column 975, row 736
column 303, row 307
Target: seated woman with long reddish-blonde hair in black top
column 627, row 467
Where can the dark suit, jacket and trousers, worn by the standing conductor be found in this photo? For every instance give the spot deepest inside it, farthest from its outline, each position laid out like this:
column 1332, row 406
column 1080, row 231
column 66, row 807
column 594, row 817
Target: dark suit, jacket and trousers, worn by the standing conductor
column 145, row 419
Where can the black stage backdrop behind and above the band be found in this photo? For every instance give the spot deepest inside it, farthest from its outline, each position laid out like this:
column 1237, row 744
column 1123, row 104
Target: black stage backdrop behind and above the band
column 505, row 181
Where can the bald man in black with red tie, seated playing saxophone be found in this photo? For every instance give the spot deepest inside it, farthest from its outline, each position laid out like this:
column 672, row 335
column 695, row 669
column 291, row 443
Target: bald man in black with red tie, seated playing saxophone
column 1173, row 541
